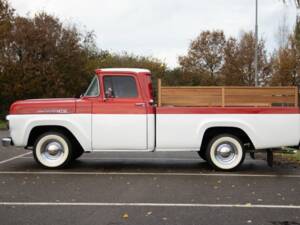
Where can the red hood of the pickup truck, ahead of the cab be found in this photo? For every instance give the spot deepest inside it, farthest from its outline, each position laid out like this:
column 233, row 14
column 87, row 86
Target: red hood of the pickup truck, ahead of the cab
column 44, row 106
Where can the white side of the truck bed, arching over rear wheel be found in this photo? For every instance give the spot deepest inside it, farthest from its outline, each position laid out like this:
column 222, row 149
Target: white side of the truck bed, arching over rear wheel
column 185, row 132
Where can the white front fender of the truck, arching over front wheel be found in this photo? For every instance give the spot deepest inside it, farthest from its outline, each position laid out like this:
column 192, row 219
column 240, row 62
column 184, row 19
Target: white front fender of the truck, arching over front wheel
column 78, row 124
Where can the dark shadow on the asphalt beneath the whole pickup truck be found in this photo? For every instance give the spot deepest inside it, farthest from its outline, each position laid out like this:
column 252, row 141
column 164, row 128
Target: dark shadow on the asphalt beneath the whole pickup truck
column 149, row 166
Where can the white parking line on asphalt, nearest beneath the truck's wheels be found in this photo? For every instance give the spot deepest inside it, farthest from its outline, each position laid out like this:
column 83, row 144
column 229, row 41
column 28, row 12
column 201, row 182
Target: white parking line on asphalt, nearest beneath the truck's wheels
column 148, row 174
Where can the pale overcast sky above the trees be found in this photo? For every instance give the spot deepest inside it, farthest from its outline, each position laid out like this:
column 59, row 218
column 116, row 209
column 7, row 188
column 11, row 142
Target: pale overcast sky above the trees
column 163, row 28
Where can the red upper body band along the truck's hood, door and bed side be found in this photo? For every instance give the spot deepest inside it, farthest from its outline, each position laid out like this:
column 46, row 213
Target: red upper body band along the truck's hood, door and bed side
column 113, row 106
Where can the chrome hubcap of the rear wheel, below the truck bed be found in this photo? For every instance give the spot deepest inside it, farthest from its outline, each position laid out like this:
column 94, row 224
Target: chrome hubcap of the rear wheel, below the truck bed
column 226, row 153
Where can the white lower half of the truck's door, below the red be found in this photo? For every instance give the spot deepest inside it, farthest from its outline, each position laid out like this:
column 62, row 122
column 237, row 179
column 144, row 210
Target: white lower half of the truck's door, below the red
column 119, row 132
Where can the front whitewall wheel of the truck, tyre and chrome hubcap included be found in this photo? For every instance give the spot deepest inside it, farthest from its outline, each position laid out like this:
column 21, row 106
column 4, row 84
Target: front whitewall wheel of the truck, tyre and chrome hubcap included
column 53, row 150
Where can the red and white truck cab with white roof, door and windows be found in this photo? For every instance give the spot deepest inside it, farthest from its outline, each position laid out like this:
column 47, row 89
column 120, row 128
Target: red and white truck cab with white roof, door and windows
column 121, row 109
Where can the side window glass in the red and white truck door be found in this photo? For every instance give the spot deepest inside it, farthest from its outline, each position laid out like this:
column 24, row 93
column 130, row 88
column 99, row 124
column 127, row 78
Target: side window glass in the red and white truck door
column 120, row 87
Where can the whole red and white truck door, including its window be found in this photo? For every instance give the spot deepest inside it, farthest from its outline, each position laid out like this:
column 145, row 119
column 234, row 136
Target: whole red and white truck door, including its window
column 119, row 121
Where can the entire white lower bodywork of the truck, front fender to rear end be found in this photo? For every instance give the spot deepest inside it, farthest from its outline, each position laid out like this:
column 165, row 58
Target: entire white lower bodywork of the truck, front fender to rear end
column 174, row 132
